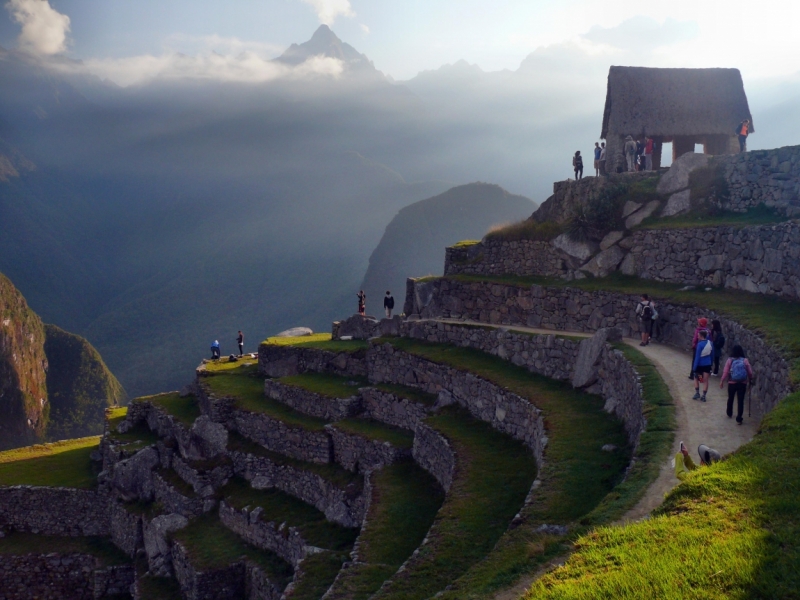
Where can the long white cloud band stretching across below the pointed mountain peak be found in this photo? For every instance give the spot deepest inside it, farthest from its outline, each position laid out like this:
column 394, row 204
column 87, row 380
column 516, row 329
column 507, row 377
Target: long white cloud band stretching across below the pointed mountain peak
column 246, row 67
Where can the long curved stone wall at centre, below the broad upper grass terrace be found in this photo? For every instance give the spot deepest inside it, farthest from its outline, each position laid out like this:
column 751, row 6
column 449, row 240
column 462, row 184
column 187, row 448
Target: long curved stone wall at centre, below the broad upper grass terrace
column 505, row 411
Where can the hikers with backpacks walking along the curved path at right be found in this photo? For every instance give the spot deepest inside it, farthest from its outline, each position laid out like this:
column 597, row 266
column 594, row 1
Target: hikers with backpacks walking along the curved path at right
column 708, row 345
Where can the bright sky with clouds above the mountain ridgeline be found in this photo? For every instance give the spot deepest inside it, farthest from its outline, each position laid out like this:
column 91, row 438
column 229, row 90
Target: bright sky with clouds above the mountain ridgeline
column 404, row 38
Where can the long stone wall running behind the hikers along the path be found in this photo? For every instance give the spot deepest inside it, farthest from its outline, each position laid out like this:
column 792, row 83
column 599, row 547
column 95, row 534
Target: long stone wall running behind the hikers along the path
column 573, row 309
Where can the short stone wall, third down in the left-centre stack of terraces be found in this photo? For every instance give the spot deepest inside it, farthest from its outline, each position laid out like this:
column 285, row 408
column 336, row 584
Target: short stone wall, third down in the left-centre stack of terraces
column 345, row 507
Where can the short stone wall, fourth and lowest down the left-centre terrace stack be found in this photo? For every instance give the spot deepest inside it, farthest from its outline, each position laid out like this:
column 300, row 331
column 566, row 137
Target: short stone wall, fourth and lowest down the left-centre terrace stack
column 287, row 543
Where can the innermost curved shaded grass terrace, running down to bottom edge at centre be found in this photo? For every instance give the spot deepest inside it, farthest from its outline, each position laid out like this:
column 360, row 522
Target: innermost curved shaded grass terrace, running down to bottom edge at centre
column 405, row 500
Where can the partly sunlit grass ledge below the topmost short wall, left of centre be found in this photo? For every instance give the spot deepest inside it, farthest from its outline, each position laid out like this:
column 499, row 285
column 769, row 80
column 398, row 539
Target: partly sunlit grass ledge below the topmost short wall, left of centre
column 246, row 386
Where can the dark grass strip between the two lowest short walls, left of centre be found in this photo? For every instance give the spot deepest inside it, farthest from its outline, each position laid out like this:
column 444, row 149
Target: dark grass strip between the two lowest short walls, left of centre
column 283, row 508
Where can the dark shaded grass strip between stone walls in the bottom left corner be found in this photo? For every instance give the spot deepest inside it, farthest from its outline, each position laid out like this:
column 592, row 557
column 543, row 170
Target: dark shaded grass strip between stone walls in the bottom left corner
column 19, row 543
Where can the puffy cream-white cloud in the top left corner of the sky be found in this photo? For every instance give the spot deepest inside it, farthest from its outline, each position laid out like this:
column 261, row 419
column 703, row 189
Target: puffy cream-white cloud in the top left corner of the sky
column 44, row 29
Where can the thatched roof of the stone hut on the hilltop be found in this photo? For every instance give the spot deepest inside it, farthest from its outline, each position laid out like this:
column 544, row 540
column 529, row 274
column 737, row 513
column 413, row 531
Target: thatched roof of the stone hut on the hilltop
column 670, row 102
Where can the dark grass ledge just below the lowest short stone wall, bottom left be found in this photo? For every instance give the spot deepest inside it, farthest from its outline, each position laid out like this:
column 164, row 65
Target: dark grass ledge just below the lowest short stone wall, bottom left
column 211, row 545
